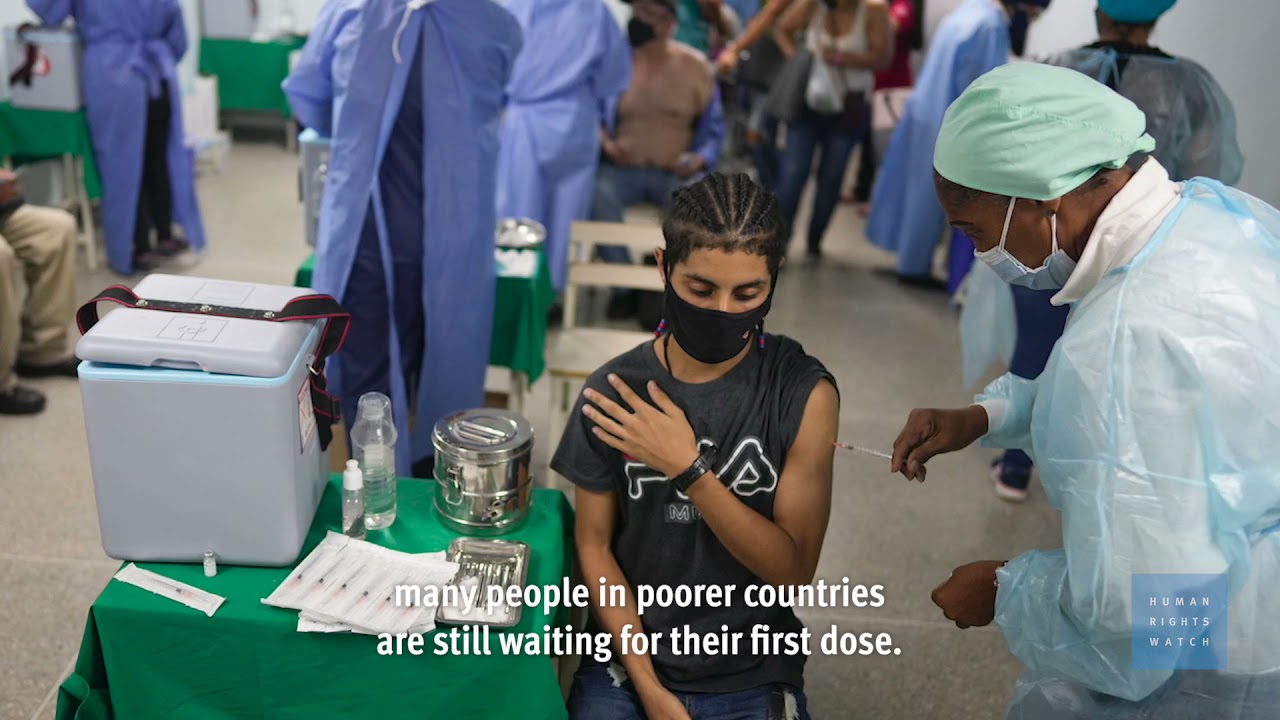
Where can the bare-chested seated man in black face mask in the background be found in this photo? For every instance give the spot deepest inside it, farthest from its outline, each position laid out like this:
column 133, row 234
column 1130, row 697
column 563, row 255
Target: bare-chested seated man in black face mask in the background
column 666, row 129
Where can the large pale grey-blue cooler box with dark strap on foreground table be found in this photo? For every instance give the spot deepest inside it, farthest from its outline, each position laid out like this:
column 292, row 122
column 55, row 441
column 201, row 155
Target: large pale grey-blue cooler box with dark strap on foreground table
column 202, row 429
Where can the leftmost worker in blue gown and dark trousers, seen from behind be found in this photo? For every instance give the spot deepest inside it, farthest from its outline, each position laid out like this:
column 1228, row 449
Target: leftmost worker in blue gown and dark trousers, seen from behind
column 134, row 106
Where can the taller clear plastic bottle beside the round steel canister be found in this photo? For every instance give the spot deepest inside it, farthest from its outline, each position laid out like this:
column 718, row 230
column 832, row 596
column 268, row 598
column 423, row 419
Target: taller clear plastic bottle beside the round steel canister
column 374, row 440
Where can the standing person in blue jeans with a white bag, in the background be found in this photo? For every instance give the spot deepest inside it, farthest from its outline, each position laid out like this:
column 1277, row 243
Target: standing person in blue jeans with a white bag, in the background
column 849, row 39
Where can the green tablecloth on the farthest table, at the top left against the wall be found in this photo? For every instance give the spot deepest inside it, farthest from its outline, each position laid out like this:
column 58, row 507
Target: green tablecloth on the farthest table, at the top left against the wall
column 249, row 72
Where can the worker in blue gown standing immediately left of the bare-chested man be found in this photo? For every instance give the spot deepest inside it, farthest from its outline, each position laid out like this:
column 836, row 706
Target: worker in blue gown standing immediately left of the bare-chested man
column 575, row 60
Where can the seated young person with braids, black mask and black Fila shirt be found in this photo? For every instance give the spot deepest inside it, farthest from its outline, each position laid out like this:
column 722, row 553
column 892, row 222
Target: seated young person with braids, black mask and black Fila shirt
column 703, row 458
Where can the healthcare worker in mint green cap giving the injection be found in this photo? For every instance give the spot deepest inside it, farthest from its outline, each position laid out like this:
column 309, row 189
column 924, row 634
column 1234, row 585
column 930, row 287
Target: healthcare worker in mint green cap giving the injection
column 1154, row 423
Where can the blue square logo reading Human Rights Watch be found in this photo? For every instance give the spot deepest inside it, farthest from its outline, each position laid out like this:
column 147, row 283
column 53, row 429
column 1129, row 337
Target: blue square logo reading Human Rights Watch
column 1180, row 622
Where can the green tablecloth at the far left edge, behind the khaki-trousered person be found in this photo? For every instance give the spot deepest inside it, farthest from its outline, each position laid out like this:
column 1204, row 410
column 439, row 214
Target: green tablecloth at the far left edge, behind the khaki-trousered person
column 28, row 136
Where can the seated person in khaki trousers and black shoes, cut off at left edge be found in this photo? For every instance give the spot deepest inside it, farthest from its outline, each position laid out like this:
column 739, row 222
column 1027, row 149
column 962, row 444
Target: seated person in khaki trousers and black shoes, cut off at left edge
column 40, row 243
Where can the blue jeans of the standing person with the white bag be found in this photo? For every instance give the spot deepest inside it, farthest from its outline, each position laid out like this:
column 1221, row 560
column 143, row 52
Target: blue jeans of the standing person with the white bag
column 811, row 133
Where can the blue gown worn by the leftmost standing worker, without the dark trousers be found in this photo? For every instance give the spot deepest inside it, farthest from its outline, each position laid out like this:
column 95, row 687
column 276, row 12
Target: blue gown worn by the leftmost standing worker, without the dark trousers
column 131, row 47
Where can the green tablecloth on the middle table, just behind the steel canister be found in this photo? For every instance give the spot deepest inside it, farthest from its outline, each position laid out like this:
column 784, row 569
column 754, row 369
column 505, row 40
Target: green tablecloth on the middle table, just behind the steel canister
column 520, row 318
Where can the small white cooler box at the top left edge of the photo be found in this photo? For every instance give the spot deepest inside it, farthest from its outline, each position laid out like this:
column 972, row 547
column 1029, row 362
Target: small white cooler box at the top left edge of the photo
column 44, row 69
